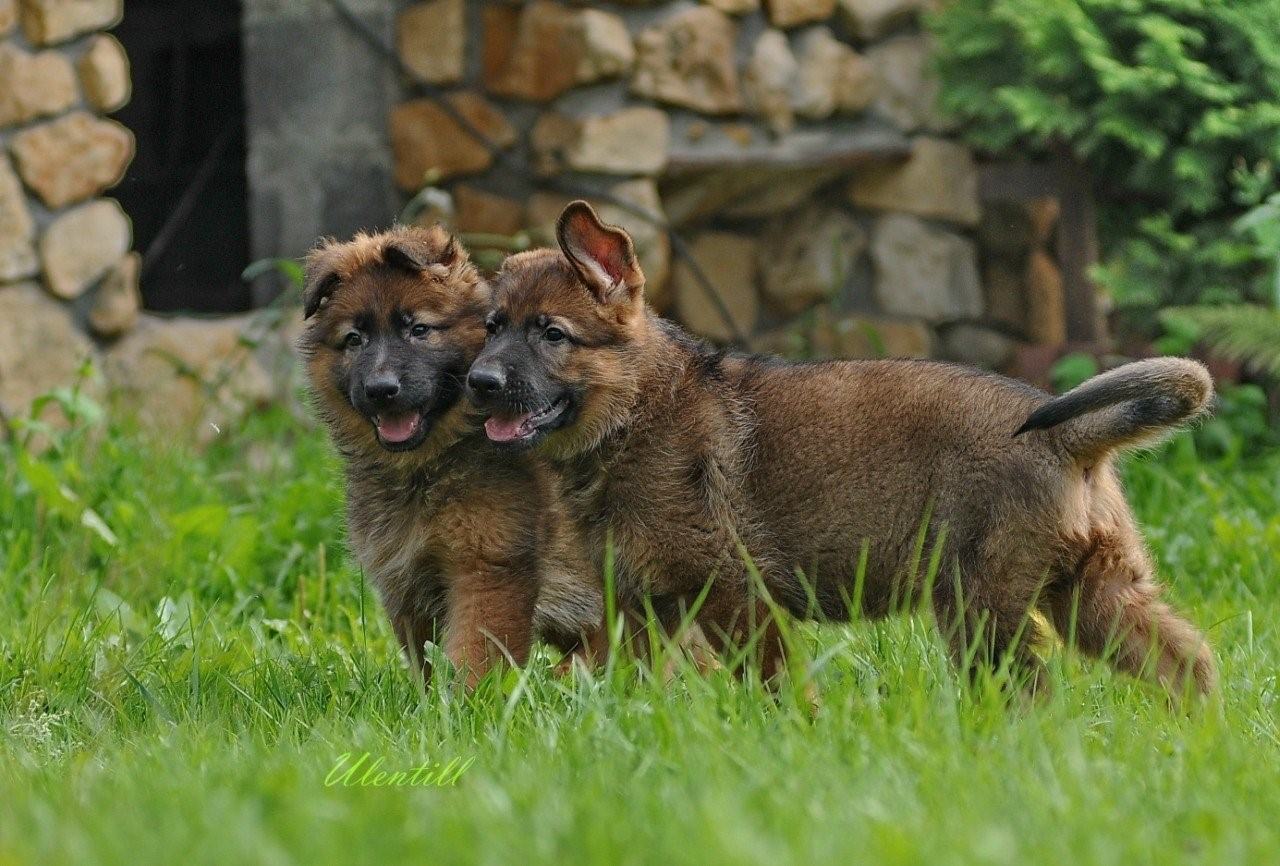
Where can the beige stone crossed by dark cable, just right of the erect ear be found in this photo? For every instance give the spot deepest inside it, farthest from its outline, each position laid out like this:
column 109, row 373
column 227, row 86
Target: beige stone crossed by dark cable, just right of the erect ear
column 729, row 263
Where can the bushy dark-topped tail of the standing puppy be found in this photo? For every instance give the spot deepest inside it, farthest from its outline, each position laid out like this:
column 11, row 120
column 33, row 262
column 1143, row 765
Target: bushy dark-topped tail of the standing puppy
column 1130, row 406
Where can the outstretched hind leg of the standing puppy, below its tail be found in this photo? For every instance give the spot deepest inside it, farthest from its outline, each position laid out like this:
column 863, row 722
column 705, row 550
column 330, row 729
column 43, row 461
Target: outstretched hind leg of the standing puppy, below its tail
column 1110, row 608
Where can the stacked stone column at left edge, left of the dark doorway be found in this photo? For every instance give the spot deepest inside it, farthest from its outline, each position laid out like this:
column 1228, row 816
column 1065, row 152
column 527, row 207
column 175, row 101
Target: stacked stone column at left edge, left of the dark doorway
column 65, row 251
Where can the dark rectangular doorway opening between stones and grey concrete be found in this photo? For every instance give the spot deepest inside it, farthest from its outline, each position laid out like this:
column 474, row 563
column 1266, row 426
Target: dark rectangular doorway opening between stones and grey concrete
column 186, row 190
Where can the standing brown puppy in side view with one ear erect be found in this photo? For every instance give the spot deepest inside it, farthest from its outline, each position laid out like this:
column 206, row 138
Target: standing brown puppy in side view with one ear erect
column 840, row 479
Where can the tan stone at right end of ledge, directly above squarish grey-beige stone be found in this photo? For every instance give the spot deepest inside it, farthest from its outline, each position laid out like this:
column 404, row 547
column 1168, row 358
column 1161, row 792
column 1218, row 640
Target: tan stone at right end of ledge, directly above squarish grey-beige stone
column 939, row 181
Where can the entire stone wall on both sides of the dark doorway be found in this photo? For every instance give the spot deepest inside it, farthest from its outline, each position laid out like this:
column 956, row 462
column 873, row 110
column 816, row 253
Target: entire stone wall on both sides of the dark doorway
column 793, row 144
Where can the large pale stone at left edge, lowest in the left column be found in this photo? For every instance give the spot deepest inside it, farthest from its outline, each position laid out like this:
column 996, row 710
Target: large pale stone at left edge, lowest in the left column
column 40, row 347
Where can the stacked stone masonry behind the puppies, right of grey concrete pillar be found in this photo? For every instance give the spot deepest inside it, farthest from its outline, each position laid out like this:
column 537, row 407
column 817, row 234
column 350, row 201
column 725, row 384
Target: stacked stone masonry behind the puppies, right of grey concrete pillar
column 862, row 254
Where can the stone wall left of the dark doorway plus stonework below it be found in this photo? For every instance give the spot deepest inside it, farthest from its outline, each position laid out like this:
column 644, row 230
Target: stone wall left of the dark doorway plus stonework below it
column 68, row 276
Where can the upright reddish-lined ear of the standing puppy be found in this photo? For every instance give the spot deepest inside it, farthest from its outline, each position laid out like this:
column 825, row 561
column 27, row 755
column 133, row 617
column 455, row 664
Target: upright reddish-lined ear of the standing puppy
column 602, row 255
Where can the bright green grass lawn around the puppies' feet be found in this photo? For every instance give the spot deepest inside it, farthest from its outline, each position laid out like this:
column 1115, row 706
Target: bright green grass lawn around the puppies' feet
column 180, row 676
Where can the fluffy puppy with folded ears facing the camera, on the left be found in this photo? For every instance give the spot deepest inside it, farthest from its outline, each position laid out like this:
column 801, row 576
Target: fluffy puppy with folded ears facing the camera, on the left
column 464, row 546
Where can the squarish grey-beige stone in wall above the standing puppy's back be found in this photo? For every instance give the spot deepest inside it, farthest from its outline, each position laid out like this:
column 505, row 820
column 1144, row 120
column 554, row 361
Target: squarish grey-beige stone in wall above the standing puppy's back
column 925, row 272
